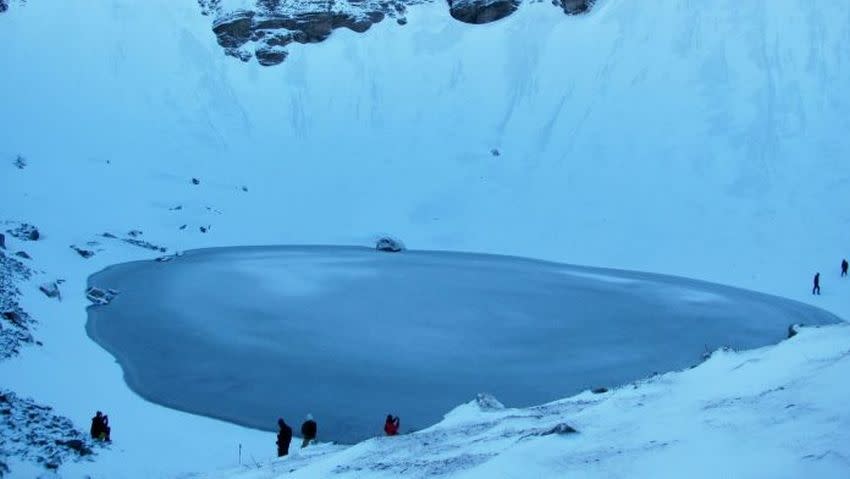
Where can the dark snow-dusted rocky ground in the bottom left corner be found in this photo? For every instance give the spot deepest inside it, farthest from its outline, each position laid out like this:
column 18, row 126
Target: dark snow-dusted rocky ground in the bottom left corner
column 34, row 433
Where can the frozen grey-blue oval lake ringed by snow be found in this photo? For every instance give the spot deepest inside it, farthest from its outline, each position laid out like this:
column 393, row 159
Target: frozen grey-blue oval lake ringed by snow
column 350, row 334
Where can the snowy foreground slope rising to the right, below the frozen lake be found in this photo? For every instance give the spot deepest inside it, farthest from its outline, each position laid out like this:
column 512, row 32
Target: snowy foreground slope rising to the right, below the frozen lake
column 770, row 413
